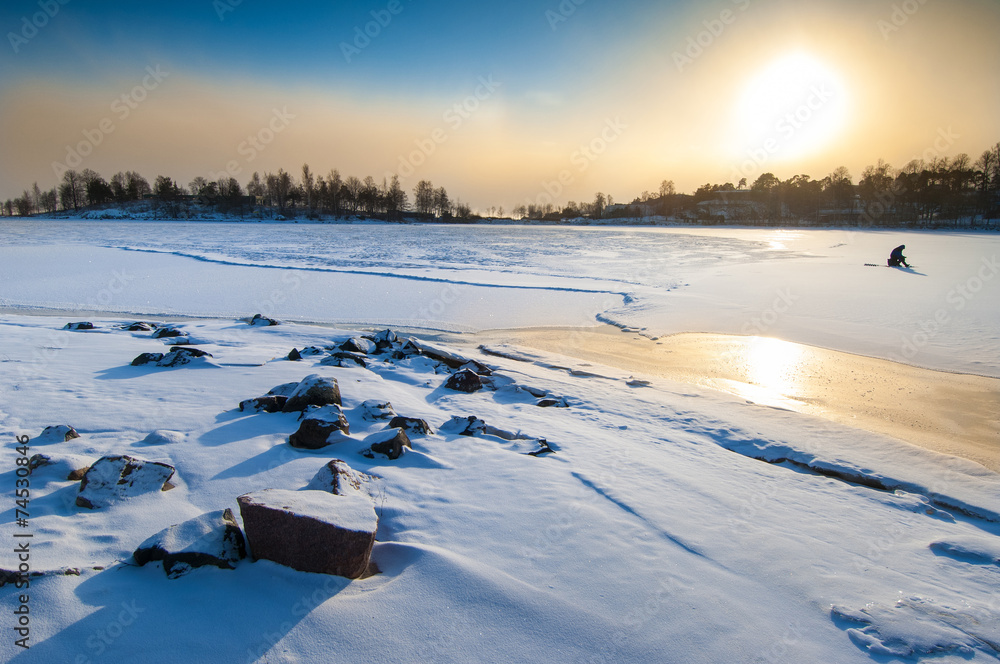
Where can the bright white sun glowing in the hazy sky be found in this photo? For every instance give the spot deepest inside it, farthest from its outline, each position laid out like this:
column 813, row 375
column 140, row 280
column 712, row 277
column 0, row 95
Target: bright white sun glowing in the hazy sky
column 794, row 107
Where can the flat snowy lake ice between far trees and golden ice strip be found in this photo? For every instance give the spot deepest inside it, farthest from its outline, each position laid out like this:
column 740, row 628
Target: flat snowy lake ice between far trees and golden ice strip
column 809, row 286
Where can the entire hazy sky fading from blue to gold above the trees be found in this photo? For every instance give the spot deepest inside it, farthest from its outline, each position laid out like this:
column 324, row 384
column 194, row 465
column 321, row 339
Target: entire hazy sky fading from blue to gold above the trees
column 499, row 102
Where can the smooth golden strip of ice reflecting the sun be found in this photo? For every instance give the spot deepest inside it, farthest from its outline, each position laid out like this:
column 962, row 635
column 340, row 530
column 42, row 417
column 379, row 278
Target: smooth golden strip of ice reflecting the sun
column 950, row 413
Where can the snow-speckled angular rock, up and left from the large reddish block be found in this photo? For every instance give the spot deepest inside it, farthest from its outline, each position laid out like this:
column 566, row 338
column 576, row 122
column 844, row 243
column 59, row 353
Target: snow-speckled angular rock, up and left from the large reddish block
column 118, row 477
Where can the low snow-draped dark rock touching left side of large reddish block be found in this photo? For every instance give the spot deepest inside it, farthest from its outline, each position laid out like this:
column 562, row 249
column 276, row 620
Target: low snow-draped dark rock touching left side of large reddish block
column 210, row 539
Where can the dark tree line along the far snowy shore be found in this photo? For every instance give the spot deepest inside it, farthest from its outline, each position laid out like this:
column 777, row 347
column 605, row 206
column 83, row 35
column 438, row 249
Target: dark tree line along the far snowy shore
column 941, row 189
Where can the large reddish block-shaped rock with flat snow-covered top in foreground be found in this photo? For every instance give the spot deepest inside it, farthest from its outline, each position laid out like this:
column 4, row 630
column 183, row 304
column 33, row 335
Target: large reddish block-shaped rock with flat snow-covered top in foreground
column 310, row 531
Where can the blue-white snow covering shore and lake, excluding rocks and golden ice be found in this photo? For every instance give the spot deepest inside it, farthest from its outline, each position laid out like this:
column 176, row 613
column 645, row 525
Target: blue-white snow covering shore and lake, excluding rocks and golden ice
column 669, row 524
